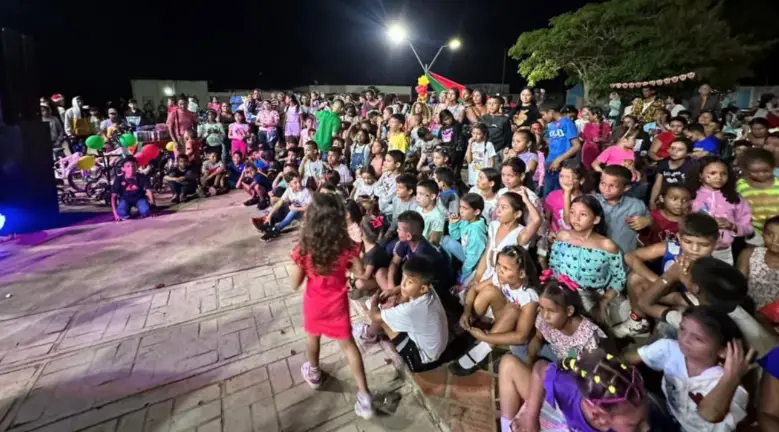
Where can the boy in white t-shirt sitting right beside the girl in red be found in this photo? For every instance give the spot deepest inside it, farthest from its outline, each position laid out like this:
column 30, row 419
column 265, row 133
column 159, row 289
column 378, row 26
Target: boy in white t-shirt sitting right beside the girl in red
column 414, row 319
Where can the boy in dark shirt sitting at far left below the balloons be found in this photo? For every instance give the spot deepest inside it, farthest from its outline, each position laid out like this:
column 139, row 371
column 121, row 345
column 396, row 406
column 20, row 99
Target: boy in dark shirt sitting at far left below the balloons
column 129, row 190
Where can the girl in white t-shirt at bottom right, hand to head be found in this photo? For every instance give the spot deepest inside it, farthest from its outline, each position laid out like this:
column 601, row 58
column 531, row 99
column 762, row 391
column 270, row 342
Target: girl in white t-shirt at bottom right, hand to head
column 700, row 394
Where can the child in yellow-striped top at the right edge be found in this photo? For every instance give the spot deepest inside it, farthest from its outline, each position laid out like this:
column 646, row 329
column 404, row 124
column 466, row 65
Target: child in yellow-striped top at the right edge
column 759, row 188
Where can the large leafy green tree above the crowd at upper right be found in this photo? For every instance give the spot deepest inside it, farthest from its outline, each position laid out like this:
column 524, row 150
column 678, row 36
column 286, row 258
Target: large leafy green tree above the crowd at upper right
column 635, row 40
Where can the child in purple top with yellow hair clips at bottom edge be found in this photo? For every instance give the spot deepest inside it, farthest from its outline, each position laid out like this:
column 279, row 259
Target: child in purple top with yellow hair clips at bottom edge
column 589, row 393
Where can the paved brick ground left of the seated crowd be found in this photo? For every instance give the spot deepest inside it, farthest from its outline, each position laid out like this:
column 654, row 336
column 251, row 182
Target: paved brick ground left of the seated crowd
column 90, row 339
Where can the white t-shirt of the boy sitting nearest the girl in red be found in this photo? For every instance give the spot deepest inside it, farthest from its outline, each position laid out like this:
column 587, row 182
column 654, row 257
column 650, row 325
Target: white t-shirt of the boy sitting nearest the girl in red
column 424, row 320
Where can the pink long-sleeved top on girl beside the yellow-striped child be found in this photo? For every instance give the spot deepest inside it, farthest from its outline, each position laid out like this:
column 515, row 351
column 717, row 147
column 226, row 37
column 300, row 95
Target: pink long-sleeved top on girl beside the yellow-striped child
column 714, row 204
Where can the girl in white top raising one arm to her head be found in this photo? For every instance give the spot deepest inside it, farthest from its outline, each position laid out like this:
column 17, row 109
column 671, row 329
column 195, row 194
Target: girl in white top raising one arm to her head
column 507, row 231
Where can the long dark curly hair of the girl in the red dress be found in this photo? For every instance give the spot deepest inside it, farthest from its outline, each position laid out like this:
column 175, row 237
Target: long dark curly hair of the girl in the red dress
column 322, row 238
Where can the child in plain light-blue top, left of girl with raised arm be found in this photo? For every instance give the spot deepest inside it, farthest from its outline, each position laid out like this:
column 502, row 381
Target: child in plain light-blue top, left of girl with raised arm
column 467, row 237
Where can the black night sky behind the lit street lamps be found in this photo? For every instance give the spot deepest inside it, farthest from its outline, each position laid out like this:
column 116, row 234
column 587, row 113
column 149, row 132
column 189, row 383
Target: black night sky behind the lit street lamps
column 269, row 44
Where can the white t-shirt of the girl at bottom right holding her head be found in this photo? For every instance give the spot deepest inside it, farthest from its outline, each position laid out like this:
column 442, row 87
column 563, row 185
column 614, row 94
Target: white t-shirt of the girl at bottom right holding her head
column 682, row 392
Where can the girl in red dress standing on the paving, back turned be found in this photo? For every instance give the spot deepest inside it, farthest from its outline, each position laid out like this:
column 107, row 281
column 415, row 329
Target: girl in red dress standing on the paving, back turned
column 324, row 254
